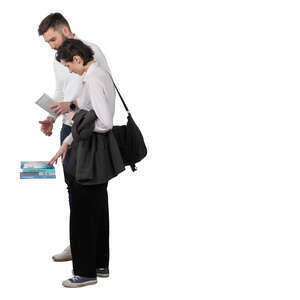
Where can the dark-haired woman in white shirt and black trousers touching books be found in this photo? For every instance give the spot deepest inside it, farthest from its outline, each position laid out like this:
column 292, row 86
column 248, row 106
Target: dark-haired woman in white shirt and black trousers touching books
column 94, row 159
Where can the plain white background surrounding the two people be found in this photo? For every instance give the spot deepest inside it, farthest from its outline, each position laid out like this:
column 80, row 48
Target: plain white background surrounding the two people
column 213, row 211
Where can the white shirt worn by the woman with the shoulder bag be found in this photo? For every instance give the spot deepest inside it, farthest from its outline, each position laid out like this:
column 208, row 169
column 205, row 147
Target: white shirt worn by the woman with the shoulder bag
column 98, row 93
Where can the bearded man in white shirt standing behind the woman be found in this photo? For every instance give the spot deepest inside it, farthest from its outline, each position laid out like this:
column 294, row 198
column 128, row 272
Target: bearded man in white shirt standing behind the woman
column 55, row 30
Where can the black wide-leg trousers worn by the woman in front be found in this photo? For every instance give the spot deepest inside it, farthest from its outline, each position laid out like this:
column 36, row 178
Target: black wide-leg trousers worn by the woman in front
column 89, row 228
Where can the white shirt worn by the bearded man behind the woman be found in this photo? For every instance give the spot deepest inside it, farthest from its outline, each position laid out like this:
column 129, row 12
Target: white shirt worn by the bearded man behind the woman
column 69, row 85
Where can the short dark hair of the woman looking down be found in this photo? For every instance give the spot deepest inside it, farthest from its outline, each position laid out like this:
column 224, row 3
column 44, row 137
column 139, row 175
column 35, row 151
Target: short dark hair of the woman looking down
column 73, row 47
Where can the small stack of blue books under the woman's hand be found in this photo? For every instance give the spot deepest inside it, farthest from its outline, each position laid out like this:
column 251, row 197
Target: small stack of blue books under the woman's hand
column 36, row 170
